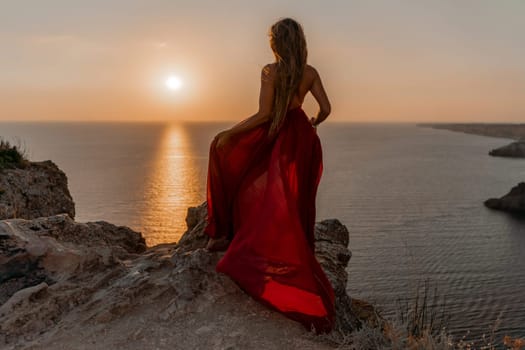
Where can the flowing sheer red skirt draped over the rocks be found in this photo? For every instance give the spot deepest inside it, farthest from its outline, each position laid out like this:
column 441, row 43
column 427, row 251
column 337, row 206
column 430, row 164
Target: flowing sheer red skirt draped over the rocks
column 261, row 194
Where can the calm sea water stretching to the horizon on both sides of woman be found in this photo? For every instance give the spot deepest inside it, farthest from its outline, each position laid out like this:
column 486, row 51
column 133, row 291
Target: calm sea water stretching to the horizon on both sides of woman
column 411, row 198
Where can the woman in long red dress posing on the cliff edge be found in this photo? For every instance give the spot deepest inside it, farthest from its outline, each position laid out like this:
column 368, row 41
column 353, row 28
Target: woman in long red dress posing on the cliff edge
column 263, row 176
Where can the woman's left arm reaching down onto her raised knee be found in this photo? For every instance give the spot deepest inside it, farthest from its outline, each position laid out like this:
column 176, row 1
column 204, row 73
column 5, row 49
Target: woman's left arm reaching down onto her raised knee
column 264, row 114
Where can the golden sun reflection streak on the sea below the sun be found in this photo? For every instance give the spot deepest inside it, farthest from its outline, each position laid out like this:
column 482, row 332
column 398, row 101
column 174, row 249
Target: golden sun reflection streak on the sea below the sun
column 172, row 187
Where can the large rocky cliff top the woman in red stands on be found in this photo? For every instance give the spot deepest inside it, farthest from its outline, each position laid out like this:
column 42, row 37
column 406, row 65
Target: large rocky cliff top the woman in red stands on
column 93, row 285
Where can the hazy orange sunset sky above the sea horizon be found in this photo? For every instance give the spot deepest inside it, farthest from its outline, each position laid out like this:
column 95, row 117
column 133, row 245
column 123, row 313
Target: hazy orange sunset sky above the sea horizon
column 391, row 60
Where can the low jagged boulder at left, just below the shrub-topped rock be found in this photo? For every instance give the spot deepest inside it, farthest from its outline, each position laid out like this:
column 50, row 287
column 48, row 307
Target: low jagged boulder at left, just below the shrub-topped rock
column 55, row 248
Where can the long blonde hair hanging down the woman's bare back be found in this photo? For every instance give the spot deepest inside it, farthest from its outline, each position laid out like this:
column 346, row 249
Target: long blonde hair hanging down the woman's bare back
column 288, row 44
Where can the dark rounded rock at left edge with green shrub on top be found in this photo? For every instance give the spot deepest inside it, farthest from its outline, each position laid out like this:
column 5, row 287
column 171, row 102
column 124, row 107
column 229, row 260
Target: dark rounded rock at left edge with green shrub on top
column 35, row 190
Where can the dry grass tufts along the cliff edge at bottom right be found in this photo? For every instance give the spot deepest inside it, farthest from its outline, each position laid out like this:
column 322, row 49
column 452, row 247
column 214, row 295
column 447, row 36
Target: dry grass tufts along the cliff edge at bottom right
column 419, row 323
